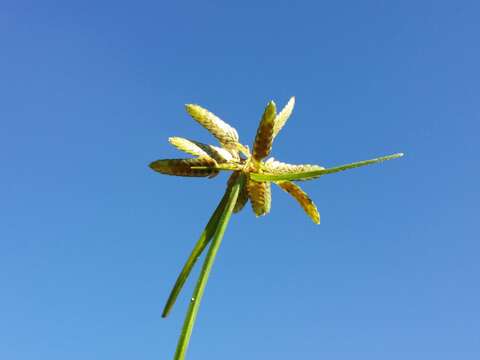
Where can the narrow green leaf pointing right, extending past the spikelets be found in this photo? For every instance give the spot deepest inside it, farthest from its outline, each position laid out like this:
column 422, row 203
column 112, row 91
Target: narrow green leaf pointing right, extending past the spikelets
column 304, row 175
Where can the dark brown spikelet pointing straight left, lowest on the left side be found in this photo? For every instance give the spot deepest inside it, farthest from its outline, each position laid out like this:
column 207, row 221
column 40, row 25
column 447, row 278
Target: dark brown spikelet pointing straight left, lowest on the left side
column 186, row 167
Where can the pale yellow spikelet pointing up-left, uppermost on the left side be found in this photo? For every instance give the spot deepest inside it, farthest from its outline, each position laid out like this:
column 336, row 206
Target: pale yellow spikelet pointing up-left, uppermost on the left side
column 226, row 135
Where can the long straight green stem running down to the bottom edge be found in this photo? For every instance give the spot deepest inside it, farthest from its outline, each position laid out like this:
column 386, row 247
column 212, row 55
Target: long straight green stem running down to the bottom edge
column 205, row 272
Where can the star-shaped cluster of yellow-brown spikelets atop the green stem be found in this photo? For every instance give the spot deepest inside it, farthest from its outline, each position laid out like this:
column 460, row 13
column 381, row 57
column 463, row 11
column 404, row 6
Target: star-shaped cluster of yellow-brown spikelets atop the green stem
column 232, row 155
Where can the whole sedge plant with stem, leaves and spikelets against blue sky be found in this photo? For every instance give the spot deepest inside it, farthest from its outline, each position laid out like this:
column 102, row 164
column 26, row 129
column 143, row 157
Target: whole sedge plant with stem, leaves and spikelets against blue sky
column 250, row 180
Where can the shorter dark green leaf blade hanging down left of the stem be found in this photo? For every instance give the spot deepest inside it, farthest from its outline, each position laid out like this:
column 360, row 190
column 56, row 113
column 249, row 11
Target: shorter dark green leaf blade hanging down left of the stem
column 194, row 255
